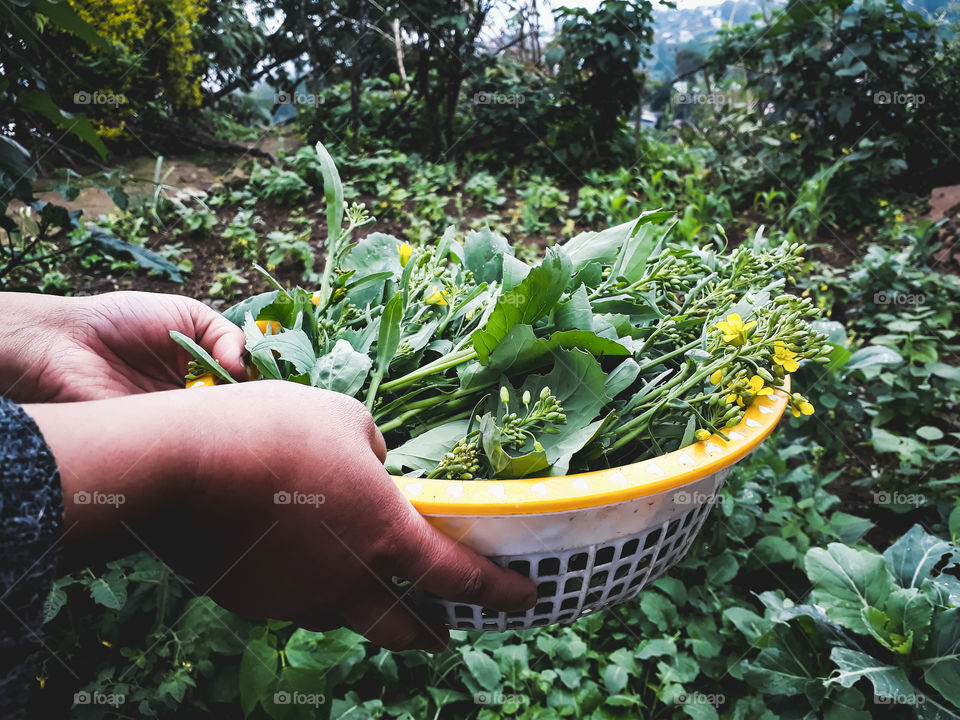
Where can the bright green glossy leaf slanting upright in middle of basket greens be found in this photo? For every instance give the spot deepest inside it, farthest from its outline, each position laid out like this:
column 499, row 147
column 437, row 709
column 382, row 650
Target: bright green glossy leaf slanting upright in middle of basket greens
column 529, row 301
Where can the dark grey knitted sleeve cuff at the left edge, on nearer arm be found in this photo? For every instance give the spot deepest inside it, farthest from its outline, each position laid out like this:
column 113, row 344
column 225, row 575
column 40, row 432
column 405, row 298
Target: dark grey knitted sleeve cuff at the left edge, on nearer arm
column 31, row 513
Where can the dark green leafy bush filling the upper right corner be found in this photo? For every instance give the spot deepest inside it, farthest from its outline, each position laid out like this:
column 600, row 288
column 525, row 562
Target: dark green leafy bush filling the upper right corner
column 860, row 79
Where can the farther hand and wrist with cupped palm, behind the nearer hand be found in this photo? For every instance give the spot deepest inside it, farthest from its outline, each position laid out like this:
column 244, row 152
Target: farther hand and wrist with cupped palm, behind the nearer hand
column 89, row 348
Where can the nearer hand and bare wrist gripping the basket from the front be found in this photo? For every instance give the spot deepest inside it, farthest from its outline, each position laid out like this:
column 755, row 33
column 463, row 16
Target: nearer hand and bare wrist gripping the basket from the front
column 201, row 492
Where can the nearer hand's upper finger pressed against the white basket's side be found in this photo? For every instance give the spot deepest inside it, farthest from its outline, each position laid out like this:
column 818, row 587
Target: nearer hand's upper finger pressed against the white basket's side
column 439, row 564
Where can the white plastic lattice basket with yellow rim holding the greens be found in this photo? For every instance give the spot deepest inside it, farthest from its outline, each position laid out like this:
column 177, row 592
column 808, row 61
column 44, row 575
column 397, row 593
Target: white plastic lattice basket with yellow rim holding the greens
column 592, row 540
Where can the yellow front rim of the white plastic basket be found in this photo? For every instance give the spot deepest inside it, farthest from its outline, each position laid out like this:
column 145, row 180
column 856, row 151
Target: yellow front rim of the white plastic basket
column 601, row 487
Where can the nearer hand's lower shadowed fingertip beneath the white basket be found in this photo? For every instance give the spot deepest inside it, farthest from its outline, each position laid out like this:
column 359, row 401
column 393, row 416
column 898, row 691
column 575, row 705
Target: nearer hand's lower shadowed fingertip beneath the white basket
column 386, row 622
